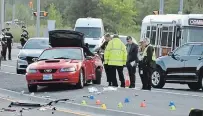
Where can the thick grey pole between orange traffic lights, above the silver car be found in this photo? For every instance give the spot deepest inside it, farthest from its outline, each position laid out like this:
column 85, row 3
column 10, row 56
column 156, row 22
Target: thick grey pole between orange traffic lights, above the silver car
column 38, row 19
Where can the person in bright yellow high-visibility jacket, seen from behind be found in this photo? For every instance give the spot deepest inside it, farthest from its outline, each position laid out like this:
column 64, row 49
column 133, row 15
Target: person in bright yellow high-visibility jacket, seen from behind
column 115, row 56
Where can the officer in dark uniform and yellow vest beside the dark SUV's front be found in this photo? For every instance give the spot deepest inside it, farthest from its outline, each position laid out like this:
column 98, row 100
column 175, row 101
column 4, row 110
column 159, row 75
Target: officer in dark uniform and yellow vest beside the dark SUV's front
column 148, row 60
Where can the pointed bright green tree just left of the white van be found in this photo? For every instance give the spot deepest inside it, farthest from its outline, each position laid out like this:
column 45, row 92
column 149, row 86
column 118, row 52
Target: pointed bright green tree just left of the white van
column 54, row 14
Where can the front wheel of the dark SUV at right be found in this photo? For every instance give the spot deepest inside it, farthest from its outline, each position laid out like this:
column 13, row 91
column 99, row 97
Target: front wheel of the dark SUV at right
column 158, row 80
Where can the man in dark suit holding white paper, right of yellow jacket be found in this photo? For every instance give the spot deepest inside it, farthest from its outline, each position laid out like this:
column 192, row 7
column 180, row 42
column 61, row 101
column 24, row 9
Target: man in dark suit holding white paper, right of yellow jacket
column 132, row 60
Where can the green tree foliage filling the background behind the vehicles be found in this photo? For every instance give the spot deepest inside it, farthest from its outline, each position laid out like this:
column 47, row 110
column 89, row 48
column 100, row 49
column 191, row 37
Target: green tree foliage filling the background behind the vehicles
column 119, row 16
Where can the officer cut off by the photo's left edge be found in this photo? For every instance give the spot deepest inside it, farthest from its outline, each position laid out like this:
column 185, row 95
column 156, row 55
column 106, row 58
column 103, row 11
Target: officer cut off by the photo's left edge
column 3, row 44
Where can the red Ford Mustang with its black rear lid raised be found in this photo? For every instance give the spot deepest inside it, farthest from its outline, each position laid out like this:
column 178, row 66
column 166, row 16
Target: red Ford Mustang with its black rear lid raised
column 67, row 62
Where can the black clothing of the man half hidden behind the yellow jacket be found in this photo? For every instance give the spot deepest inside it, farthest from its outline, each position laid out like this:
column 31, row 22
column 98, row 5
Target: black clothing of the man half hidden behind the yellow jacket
column 106, row 67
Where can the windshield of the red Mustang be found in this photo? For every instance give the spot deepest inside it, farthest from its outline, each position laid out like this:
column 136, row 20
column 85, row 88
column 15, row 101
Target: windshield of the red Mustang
column 62, row 53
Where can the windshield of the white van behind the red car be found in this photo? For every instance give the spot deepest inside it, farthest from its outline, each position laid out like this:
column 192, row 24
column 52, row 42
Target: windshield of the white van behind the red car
column 90, row 32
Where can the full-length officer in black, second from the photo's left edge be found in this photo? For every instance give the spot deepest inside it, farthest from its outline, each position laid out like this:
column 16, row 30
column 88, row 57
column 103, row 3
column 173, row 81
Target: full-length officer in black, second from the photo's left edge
column 9, row 37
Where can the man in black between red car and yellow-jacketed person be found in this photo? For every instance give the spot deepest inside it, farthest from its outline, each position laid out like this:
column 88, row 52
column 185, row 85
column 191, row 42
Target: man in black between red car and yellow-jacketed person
column 103, row 47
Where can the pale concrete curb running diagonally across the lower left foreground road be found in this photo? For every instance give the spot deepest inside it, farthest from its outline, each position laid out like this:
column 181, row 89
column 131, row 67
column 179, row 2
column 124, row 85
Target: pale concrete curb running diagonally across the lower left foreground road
column 67, row 105
